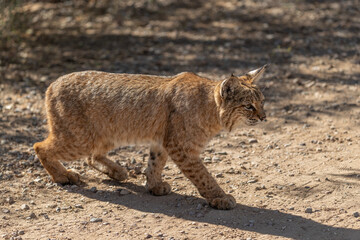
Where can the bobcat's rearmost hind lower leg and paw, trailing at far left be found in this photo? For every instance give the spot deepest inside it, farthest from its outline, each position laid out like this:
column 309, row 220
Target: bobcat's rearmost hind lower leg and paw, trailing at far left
column 49, row 153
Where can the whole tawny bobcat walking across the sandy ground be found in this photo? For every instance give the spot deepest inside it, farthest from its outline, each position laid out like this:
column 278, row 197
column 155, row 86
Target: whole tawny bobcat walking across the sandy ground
column 89, row 113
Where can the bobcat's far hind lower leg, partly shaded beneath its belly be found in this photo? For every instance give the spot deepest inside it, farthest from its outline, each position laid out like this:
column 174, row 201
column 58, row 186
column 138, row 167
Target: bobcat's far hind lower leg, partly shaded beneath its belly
column 104, row 165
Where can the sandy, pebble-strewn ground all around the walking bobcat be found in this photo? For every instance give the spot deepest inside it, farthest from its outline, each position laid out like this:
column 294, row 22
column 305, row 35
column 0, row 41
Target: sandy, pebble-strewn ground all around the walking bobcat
column 296, row 176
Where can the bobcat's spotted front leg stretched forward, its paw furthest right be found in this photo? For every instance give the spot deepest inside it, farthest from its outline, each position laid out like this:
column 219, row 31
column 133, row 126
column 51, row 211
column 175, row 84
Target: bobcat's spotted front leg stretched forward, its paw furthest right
column 193, row 168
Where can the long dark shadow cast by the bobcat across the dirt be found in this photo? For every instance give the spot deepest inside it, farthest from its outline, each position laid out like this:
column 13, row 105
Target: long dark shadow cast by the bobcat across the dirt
column 247, row 218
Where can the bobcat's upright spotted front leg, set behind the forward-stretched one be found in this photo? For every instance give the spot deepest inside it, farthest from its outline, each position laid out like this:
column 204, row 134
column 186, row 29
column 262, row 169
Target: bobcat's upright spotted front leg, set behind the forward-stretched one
column 156, row 163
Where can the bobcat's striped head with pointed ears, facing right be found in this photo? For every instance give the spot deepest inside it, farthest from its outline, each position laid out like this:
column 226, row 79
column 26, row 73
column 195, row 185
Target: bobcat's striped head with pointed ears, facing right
column 240, row 101
